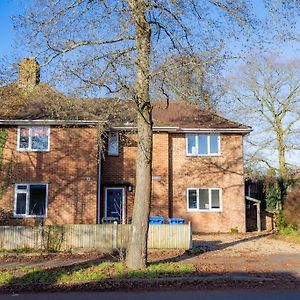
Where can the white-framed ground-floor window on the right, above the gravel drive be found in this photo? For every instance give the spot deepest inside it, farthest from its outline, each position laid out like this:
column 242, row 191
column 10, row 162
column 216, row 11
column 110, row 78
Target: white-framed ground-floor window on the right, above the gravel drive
column 204, row 199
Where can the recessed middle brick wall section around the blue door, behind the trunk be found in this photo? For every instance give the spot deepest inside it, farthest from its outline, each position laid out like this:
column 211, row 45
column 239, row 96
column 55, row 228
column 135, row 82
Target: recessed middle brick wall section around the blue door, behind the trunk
column 119, row 171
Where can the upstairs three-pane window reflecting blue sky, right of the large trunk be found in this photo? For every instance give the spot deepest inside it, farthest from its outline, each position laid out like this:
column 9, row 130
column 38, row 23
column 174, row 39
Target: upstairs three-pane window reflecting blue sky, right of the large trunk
column 202, row 144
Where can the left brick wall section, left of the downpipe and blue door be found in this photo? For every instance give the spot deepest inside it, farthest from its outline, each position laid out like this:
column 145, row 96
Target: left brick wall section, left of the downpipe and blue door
column 69, row 168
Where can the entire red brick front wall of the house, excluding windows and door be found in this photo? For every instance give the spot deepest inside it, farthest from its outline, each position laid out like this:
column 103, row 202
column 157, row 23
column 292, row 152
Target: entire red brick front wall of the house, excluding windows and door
column 70, row 168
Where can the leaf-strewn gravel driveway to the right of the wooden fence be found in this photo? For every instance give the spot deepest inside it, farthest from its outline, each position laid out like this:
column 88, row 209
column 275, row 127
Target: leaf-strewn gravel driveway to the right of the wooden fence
column 245, row 253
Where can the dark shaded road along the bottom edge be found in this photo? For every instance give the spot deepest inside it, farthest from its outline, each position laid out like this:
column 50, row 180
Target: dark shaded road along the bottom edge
column 172, row 295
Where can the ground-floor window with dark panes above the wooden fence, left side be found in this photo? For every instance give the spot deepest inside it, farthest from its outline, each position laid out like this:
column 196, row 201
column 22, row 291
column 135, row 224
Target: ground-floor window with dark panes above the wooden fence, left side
column 30, row 200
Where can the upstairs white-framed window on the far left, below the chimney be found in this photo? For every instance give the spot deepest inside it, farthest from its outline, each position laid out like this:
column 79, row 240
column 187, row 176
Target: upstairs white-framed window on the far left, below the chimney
column 33, row 138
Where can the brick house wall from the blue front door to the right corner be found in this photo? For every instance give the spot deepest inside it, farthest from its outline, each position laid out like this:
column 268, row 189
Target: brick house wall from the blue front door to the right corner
column 174, row 172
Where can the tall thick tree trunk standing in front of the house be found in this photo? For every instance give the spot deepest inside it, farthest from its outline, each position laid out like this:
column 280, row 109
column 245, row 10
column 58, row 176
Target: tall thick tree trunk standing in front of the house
column 137, row 250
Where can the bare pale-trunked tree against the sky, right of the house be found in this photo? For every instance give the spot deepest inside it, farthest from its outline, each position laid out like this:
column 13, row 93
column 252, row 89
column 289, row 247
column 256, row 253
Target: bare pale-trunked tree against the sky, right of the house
column 266, row 95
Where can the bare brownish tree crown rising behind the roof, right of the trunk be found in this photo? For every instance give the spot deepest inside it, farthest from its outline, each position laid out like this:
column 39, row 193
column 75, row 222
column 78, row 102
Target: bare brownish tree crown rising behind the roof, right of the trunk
column 190, row 78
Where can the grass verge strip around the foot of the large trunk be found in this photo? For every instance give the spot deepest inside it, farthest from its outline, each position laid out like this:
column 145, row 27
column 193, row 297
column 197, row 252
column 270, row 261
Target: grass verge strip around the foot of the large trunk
column 90, row 272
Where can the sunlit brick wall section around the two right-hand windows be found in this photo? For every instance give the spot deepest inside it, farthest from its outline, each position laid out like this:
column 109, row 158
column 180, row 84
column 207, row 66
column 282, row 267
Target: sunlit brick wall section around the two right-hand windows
column 224, row 171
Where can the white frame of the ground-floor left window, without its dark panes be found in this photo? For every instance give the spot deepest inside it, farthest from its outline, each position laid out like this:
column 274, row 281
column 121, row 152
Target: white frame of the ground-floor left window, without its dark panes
column 26, row 215
